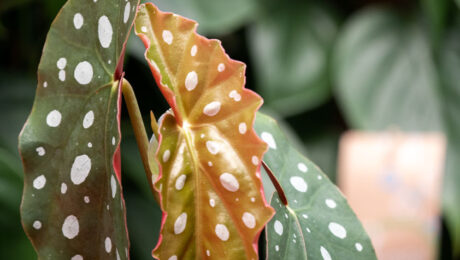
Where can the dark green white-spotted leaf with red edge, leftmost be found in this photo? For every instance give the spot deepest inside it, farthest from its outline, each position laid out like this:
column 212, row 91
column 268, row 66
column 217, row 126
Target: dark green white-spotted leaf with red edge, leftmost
column 72, row 203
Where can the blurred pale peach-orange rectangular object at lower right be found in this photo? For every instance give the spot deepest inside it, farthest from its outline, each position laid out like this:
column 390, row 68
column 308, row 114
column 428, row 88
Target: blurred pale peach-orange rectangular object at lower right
column 393, row 182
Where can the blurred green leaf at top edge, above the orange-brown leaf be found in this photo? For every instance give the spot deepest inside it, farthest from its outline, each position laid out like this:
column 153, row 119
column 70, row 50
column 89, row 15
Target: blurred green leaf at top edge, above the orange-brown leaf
column 213, row 16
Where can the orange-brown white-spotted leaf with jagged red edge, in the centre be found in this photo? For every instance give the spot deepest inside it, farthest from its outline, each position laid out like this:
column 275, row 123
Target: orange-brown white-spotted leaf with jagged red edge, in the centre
column 211, row 192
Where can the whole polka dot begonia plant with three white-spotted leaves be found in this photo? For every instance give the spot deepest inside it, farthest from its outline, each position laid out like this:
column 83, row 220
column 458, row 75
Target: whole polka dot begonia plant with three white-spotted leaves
column 203, row 163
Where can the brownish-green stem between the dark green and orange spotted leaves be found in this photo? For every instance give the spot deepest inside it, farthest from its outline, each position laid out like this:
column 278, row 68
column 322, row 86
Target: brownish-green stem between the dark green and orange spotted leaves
column 138, row 127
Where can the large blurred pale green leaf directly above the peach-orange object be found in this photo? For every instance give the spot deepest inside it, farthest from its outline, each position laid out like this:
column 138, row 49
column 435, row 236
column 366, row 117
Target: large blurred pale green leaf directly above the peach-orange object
column 385, row 74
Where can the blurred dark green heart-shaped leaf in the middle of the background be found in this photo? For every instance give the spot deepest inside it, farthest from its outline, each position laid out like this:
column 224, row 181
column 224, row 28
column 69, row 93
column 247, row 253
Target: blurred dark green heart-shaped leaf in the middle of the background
column 290, row 47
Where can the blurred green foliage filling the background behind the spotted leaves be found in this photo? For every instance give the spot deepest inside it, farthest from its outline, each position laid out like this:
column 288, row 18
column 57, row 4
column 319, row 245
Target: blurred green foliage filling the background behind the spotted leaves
column 323, row 67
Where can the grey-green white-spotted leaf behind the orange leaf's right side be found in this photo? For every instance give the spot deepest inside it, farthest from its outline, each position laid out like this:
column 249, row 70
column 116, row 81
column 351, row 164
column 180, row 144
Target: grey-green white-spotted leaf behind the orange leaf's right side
column 318, row 223
